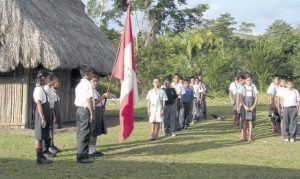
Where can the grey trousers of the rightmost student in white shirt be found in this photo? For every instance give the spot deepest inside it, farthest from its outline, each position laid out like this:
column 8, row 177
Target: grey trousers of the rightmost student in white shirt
column 290, row 122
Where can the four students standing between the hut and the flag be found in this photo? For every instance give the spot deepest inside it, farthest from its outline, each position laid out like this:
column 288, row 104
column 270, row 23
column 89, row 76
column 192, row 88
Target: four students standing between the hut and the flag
column 89, row 116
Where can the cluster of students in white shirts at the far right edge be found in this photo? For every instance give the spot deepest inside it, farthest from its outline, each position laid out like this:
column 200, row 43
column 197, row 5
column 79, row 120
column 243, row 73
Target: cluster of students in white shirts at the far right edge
column 284, row 103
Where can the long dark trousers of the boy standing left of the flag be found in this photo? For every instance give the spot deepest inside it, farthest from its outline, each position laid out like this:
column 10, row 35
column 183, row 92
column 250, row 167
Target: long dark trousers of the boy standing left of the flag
column 83, row 132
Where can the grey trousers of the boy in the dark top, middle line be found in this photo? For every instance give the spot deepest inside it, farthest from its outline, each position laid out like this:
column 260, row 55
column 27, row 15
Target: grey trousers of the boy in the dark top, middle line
column 169, row 123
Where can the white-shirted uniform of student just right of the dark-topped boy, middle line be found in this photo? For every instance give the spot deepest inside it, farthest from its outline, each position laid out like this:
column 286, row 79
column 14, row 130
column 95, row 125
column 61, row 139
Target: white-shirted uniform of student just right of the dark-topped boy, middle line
column 179, row 106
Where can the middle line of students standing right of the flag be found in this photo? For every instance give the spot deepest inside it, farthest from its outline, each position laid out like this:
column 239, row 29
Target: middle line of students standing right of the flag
column 176, row 105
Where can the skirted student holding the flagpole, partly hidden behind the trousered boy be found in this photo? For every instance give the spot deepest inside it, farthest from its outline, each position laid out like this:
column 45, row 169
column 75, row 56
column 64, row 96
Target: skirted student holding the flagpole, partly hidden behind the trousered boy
column 98, row 127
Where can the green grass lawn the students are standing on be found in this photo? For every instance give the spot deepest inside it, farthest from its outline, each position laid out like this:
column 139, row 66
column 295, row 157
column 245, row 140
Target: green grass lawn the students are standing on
column 209, row 149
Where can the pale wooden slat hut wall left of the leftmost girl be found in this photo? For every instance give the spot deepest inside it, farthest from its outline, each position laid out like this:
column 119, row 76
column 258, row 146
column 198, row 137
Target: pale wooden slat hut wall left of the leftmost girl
column 14, row 108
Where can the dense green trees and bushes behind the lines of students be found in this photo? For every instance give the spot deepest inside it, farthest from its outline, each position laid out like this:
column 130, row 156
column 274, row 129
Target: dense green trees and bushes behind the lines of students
column 213, row 48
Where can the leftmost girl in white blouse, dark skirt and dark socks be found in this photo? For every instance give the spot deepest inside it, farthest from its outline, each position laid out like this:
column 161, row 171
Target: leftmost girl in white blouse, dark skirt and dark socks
column 42, row 118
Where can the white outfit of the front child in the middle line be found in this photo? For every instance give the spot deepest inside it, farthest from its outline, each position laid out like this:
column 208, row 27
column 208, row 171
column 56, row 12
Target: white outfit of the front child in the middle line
column 156, row 98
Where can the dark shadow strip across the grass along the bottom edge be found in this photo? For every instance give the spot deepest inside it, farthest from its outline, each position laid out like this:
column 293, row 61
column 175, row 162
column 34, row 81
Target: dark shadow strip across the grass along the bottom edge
column 107, row 168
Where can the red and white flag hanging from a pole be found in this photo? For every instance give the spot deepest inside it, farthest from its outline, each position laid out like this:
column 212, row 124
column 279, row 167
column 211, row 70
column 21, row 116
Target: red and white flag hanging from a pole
column 124, row 70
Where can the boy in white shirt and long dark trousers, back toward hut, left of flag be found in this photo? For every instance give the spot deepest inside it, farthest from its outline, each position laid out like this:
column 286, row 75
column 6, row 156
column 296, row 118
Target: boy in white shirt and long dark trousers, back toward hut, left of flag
column 84, row 114
